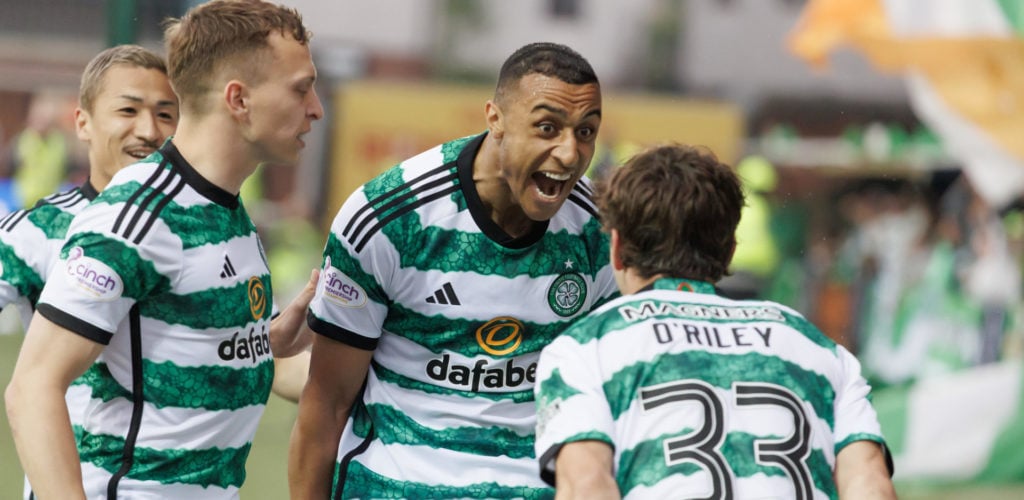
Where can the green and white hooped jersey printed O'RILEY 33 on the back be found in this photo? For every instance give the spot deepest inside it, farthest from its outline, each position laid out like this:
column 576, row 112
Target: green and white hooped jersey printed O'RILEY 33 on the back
column 702, row 397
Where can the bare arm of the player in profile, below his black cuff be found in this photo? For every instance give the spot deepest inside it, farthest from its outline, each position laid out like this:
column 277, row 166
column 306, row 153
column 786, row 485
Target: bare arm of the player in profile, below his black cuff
column 52, row 358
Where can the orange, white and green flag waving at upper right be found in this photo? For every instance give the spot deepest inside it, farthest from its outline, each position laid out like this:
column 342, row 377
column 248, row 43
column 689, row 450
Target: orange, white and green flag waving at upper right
column 963, row 62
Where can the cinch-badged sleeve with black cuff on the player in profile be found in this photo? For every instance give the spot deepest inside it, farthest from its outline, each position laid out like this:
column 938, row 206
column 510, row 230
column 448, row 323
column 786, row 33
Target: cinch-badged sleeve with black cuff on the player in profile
column 101, row 273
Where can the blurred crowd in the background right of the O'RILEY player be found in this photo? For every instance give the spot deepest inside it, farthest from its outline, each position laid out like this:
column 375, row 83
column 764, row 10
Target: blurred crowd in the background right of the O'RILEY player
column 916, row 274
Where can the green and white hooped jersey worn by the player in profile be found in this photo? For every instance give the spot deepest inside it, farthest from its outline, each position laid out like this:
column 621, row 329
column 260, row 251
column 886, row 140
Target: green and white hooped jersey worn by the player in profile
column 167, row 271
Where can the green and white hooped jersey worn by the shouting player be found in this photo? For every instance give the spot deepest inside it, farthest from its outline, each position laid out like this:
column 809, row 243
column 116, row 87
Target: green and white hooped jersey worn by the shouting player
column 458, row 313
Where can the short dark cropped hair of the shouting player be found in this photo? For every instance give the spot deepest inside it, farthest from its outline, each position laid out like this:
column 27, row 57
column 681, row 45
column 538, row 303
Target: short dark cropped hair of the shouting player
column 550, row 60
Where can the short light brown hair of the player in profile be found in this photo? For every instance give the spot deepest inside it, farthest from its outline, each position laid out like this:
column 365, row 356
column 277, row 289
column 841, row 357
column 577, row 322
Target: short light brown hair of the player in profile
column 225, row 36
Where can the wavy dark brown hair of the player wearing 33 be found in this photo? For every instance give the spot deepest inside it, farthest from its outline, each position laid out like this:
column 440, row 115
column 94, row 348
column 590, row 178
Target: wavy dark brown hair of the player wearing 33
column 676, row 210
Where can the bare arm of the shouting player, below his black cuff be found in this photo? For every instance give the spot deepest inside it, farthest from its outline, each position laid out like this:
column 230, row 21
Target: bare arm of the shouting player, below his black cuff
column 337, row 372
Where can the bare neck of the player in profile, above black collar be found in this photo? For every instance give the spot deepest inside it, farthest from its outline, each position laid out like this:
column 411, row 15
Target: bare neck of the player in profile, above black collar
column 224, row 158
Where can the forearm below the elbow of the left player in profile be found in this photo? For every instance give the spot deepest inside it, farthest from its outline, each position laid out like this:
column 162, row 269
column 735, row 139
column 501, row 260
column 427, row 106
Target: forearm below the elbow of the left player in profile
column 46, row 443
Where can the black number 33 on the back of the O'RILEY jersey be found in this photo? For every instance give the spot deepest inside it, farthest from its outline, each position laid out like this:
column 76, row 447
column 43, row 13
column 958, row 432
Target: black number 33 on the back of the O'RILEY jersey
column 703, row 446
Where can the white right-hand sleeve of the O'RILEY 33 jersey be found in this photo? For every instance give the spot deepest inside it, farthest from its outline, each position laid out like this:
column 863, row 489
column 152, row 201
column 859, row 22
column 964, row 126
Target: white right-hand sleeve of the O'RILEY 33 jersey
column 856, row 418
